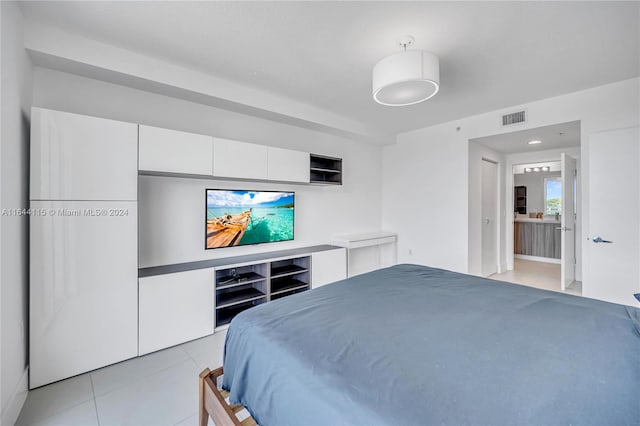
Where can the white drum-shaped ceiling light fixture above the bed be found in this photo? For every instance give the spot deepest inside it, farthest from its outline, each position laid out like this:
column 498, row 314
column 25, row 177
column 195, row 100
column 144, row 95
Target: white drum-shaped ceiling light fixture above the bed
column 406, row 78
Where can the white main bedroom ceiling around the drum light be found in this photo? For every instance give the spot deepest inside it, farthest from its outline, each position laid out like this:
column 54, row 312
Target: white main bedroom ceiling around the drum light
column 492, row 54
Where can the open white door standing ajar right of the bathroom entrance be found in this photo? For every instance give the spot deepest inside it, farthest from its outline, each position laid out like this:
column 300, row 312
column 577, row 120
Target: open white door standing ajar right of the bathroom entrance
column 568, row 225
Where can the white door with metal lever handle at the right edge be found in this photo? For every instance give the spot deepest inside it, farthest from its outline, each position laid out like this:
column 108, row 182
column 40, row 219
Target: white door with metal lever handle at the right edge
column 611, row 268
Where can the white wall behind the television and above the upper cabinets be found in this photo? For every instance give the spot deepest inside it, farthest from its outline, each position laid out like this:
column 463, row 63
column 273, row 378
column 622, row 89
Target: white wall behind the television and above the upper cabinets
column 171, row 210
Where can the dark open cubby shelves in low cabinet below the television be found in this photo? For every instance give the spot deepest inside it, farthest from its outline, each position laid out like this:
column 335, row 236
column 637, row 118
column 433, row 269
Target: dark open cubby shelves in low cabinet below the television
column 242, row 287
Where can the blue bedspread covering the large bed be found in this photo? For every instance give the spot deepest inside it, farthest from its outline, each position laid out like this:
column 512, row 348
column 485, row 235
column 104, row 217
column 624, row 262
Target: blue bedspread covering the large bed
column 413, row 345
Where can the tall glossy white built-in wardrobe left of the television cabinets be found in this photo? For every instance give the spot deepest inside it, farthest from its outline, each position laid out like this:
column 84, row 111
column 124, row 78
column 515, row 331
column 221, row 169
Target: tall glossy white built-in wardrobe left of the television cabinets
column 83, row 244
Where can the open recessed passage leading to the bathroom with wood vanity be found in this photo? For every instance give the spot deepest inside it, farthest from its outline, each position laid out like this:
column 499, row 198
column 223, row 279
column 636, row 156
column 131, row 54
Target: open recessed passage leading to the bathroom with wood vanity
column 535, row 148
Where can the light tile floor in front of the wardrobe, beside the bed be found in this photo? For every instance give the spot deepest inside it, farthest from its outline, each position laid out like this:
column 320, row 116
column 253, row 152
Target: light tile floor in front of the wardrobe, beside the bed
column 157, row 389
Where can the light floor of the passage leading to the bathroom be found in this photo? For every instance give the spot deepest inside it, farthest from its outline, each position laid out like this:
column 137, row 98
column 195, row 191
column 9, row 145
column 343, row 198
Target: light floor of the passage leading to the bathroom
column 537, row 274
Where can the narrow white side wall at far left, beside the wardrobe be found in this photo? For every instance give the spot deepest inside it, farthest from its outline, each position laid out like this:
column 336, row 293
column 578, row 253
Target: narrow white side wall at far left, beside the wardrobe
column 16, row 71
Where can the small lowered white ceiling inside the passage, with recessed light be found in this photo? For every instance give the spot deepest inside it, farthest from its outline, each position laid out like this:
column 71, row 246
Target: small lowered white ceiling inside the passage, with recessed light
column 563, row 135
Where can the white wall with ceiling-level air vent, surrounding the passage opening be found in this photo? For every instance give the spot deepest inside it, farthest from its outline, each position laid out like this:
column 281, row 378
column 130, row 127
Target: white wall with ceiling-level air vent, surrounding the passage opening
column 425, row 175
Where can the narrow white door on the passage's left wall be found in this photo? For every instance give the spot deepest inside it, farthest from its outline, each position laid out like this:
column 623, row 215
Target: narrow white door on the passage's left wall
column 489, row 214
